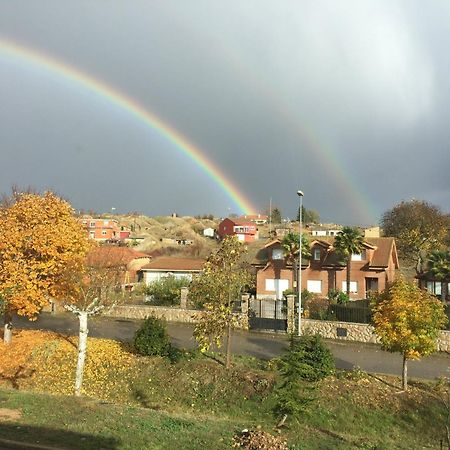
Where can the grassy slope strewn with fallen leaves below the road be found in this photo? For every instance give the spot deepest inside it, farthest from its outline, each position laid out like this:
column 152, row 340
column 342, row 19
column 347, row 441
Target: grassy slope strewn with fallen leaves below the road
column 134, row 402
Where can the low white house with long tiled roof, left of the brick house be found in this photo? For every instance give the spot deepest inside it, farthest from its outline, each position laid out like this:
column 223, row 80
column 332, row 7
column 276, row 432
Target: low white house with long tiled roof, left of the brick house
column 170, row 266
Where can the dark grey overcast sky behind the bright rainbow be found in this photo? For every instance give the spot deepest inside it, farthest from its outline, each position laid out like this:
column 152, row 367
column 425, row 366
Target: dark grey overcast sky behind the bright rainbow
column 346, row 100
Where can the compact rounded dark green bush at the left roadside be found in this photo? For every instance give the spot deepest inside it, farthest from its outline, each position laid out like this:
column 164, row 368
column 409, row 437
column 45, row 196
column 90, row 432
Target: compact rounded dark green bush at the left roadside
column 151, row 338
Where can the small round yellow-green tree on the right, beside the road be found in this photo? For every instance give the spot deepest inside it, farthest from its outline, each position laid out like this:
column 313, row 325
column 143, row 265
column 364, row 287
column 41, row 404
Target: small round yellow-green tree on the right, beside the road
column 407, row 320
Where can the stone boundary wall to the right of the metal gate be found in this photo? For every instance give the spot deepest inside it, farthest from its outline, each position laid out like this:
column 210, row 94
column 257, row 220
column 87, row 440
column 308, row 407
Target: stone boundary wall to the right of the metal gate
column 357, row 332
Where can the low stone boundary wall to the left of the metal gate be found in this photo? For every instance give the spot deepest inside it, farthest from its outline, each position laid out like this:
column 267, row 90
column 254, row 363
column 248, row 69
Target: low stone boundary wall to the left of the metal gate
column 161, row 312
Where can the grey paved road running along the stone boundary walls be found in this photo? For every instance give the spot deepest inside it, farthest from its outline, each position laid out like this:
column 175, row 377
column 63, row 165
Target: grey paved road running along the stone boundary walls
column 262, row 345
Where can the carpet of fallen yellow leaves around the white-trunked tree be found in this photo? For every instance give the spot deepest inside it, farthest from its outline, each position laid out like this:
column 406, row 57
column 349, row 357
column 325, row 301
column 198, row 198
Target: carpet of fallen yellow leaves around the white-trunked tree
column 46, row 361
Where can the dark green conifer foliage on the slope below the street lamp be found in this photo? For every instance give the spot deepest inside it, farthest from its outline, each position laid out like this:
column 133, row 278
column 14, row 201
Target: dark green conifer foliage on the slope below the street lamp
column 306, row 362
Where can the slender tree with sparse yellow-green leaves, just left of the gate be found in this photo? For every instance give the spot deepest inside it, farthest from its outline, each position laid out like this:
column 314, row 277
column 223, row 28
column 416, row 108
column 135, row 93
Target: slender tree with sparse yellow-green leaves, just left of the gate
column 222, row 281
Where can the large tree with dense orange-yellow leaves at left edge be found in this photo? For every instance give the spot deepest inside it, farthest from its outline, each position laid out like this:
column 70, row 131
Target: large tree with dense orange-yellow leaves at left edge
column 41, row 242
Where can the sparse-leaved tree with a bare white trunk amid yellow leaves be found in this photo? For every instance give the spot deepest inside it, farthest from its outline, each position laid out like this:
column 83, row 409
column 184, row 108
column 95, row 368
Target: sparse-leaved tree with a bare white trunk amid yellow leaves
column 92, row 291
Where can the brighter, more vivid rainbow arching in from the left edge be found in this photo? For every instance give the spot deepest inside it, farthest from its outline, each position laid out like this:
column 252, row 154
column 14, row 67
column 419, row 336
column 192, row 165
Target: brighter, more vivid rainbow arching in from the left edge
column 31, row 57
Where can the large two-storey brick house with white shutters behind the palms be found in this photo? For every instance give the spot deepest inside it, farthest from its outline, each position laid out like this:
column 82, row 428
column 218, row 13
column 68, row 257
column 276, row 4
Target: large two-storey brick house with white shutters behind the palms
column 370, row 271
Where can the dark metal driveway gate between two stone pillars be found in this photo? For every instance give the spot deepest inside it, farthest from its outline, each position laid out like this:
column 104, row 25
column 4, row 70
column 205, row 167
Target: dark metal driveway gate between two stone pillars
column 267, row 314
